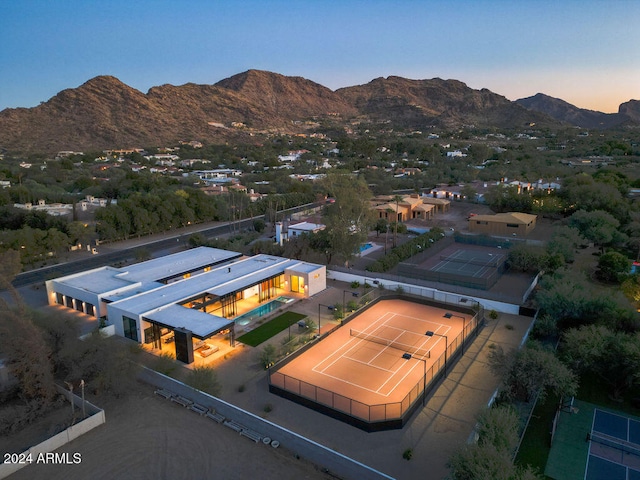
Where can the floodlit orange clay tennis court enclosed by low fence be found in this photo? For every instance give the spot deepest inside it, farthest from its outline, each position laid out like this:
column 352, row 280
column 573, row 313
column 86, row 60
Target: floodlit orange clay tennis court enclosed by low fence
column 377, row 365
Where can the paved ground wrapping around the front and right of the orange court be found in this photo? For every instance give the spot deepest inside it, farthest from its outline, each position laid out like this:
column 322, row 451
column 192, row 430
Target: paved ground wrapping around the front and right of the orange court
column 443, row 425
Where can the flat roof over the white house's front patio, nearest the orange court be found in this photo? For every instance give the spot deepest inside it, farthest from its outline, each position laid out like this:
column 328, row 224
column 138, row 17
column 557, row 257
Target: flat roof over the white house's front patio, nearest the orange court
column 201, row 324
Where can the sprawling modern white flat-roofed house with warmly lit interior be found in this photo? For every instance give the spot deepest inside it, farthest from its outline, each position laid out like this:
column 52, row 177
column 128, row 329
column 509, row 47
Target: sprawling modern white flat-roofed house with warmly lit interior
column 185, row 298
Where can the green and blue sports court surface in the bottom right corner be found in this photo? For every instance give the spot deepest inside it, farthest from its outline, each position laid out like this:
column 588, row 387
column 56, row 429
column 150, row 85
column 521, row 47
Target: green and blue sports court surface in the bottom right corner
column 593, row 444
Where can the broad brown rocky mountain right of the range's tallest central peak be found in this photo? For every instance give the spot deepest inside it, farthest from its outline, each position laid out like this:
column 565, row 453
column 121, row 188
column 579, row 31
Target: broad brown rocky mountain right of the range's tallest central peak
column 448, row 103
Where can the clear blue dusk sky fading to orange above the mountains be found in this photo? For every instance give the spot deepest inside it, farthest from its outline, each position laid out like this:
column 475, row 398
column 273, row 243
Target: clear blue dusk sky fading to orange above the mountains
column 586, row 52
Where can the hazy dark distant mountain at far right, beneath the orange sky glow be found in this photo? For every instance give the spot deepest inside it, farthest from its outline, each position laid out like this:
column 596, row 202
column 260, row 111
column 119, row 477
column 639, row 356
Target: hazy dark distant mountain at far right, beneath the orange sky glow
column 565, row 112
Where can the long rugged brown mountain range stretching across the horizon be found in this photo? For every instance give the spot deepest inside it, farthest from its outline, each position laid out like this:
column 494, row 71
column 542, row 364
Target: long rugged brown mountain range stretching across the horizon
column 105, row 113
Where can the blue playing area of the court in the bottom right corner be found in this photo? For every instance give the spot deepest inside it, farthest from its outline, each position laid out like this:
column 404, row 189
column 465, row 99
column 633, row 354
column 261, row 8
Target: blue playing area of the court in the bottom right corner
column 614, row 448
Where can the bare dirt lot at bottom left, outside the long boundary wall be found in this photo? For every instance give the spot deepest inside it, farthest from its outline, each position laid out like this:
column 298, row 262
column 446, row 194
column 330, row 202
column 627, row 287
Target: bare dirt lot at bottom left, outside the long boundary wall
column 148, row 437
